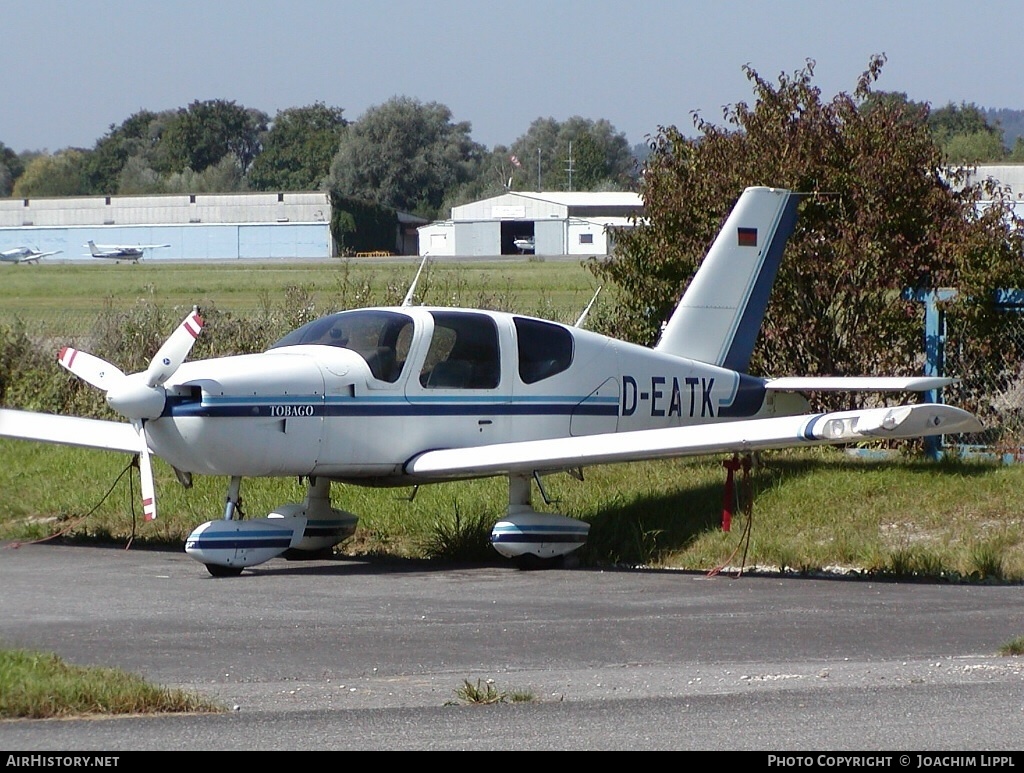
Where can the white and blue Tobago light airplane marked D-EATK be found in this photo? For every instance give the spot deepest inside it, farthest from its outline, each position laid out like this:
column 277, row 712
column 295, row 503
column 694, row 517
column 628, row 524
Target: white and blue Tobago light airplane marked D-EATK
column 408, row 396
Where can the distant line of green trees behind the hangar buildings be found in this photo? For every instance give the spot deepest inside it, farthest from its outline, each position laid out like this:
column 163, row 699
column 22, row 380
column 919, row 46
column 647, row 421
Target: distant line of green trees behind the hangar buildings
column 404, row 155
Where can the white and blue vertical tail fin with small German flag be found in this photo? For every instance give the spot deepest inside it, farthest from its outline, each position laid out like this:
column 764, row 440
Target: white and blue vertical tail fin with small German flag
column 719, row 317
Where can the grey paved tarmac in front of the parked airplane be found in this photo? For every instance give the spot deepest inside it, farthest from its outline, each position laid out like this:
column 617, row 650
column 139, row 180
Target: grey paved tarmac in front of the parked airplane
column 346, row 655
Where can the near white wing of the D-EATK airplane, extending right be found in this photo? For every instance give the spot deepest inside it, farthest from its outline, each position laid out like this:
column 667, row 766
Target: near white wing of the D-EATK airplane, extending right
column 741, row 437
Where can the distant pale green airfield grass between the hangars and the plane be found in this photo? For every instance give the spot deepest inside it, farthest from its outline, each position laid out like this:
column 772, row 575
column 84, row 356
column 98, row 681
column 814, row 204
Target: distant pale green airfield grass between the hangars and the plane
column 65, row 298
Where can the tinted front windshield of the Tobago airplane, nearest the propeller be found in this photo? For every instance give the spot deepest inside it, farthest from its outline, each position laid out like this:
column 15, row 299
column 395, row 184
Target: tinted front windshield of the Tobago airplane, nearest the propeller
column 381, row 338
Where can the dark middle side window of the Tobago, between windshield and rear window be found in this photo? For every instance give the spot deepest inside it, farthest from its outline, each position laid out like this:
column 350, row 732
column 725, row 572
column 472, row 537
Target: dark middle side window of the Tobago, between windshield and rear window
column 463, row 353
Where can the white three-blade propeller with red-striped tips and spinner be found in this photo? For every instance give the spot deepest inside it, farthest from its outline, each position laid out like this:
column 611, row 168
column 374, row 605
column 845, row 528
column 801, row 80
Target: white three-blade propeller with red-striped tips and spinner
column 139, row 397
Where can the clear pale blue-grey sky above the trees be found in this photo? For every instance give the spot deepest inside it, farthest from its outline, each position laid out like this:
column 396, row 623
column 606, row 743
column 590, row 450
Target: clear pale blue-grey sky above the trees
column 73, row 69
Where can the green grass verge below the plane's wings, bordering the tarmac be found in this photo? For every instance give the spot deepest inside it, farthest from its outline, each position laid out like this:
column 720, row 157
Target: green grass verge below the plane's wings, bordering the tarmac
column 812, row 512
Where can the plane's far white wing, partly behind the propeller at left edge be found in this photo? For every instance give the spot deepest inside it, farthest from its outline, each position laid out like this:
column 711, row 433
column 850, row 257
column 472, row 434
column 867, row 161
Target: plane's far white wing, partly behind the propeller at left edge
column 69, row 431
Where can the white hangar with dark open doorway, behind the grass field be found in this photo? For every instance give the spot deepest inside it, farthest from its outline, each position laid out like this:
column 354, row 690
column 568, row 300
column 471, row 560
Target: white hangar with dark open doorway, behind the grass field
column 549, row 224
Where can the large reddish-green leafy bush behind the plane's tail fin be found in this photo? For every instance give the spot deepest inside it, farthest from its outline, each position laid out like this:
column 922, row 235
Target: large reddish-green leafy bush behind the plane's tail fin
column 883, row 214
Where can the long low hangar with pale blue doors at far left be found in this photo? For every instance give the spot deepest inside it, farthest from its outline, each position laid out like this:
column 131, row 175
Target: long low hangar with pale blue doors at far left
column 196, row 226
